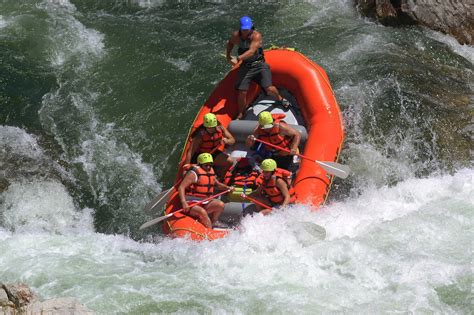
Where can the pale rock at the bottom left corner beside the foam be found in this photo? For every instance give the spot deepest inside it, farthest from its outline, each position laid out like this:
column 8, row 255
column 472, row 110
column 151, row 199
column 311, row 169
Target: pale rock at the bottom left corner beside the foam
column 20, row 299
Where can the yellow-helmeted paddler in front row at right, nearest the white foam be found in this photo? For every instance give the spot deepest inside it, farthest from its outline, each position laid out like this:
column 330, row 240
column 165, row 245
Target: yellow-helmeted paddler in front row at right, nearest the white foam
column 275, row 189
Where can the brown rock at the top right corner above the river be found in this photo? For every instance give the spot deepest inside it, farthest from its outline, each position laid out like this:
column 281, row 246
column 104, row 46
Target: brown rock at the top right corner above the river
column 453, row 17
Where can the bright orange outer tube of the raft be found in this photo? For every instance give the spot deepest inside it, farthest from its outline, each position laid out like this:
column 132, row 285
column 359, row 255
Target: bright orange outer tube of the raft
column 309, row 85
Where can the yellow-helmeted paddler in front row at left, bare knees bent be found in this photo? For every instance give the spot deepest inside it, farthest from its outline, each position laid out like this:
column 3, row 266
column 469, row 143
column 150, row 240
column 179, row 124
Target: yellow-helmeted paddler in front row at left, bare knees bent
column 198, row 183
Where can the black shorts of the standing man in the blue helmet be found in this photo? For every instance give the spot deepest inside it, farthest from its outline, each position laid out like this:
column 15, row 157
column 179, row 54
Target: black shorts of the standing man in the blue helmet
column 259, row 73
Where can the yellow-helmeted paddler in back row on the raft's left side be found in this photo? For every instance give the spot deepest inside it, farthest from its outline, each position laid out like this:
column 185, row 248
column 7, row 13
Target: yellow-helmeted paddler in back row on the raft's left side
column 211, row 137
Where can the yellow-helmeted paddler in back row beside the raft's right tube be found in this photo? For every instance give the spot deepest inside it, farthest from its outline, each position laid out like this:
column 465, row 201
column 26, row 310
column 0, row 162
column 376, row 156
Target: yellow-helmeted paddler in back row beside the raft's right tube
column 271, row 130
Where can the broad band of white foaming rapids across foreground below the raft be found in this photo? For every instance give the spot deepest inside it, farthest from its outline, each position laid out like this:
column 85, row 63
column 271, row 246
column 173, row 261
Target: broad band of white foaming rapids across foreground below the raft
column 399, row 244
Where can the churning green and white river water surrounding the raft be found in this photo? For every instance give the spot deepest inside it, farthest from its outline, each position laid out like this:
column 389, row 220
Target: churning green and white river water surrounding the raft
column 96, row 98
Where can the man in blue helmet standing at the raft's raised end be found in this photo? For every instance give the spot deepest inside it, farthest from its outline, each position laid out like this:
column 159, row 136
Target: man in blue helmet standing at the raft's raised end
column 252, row 63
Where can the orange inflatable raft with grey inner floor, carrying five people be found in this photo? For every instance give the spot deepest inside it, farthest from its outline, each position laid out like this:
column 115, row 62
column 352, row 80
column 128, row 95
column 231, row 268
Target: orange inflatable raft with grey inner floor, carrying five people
column 314, row 112
